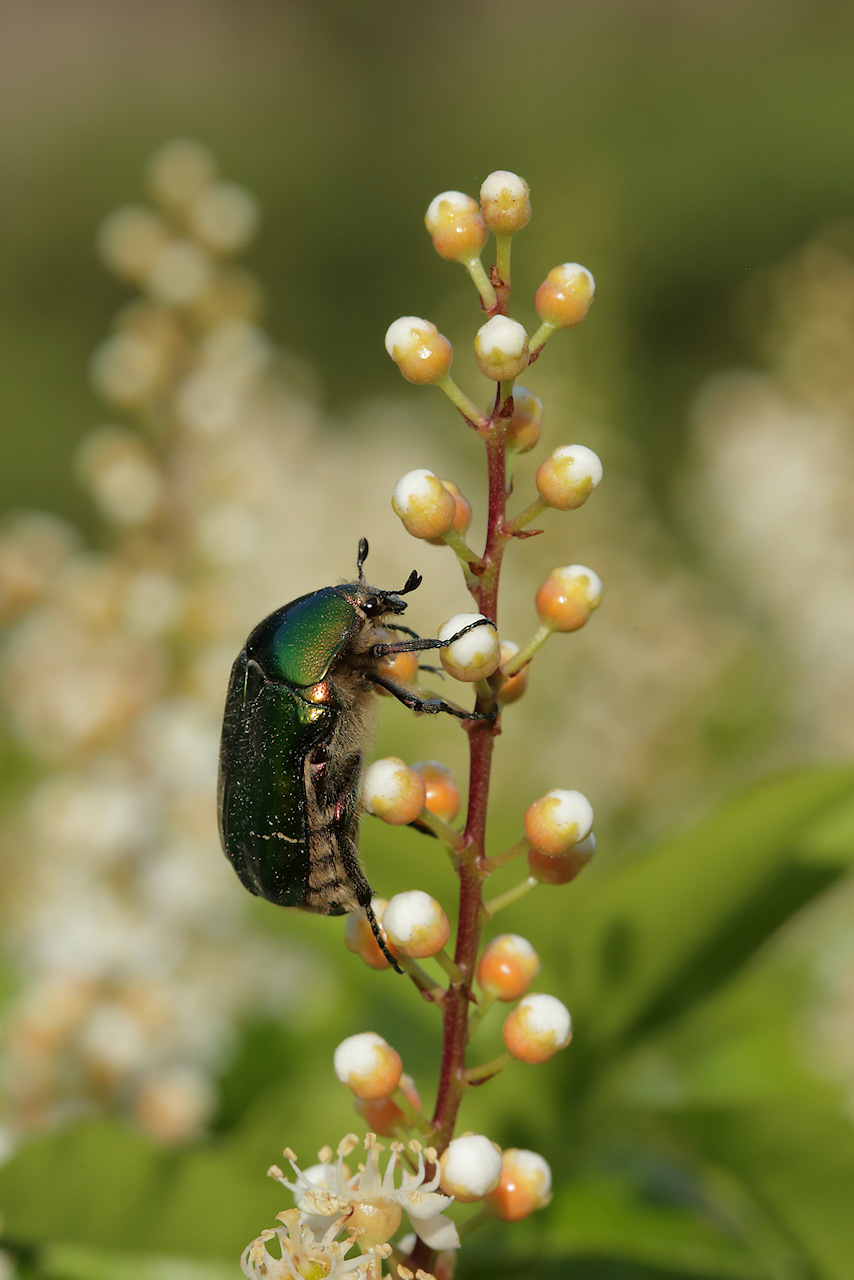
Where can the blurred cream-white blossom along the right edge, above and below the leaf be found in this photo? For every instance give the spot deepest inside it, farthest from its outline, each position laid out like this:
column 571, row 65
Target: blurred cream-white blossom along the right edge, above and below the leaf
column 771, row 497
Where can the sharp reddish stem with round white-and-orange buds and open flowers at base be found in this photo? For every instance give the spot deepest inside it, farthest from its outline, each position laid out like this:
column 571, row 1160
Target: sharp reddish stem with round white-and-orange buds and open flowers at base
column 464, row 984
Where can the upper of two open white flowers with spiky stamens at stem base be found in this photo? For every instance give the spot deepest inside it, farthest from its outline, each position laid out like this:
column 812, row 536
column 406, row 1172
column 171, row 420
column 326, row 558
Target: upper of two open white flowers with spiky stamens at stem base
column 371, row 1201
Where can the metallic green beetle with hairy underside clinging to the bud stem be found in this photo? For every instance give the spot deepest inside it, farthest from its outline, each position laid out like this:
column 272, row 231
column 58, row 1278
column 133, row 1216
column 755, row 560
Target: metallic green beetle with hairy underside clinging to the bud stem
column 299, row 717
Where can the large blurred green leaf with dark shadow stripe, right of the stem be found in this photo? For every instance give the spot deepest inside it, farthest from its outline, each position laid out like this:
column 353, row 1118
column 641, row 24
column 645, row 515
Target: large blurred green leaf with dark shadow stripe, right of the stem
column 669, row 929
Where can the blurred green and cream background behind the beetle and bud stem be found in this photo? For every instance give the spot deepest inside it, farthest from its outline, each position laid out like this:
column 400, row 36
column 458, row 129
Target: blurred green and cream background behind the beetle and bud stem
column 161, row 1028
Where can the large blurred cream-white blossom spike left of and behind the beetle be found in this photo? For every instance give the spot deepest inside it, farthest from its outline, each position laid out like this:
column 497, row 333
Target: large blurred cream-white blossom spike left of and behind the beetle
column 125, row 929
